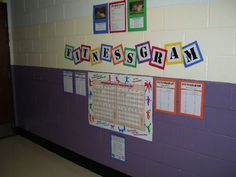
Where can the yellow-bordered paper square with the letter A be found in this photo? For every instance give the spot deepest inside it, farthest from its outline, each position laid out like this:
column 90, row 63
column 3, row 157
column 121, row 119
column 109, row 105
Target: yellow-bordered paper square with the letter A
column 174, row 53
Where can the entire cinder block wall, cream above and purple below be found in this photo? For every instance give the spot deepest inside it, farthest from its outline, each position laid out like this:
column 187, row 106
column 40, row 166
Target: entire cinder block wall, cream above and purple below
column 182, row 146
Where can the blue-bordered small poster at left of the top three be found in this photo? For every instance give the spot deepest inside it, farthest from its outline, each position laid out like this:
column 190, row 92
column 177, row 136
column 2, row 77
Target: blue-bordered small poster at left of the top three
column 100, row 19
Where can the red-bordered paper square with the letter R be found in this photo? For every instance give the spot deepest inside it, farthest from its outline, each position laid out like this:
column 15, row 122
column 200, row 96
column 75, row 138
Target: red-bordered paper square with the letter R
column 158, row 57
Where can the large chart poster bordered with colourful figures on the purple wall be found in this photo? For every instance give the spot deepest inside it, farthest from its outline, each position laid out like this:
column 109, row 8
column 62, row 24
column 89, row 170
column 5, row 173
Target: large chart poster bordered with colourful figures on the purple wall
column 121, row 103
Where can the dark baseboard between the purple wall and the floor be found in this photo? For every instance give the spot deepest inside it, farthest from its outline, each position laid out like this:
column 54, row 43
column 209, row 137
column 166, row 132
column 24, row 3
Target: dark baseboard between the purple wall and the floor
column 91, row 165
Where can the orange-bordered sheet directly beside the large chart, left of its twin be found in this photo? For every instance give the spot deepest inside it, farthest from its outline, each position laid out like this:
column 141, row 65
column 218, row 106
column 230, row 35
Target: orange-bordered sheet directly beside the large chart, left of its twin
column 165, row 95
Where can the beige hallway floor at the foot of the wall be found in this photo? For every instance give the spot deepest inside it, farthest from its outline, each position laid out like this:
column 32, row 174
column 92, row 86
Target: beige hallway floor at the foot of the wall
column 20, row 157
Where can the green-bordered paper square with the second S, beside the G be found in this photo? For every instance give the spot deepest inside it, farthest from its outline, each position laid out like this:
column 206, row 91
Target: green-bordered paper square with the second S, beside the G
column 130, row 57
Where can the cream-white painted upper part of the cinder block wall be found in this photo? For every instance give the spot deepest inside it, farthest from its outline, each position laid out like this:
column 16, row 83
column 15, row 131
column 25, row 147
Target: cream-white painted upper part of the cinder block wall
column 41, row 28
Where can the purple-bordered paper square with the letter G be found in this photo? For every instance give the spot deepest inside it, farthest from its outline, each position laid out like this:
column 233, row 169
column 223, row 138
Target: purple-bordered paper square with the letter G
column 143, row 52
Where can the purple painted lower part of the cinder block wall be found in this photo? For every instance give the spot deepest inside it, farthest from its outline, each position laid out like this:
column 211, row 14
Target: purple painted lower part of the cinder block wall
column 181, row 147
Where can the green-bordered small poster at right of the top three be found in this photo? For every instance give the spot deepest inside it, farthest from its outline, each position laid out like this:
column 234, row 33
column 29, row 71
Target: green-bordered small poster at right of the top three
column 137, row 15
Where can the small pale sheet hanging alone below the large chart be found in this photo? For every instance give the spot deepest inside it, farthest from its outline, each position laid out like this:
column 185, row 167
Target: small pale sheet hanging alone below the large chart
column 118, row 147
